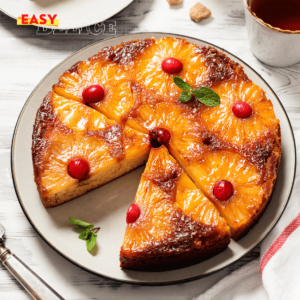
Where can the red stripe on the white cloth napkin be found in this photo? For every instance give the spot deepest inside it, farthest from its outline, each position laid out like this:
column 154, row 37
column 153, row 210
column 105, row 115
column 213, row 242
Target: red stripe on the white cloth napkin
column 278, row 243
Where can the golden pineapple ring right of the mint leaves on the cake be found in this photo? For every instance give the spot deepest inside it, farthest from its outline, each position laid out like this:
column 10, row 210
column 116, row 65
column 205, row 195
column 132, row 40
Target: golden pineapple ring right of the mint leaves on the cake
column 227, row 126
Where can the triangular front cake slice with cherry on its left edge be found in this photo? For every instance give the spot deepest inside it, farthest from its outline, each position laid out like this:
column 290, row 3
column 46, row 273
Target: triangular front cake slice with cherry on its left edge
column 171, row 223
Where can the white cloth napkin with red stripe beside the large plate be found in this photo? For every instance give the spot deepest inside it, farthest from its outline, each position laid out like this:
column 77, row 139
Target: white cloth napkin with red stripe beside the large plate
column 276, row 274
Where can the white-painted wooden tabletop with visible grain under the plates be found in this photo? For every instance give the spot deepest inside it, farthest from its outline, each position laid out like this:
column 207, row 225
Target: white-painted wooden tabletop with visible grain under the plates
column 25, row 58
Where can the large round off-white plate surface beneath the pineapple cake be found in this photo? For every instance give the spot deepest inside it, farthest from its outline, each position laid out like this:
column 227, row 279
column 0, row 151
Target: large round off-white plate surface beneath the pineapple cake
column 106, row 206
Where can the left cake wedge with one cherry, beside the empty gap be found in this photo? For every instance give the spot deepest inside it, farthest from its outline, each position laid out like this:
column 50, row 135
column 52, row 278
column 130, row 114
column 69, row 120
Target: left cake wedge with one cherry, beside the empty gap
column 76, row 149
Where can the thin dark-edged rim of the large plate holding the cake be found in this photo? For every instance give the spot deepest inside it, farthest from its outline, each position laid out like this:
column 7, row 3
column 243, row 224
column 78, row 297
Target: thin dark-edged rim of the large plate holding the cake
column 136, row 282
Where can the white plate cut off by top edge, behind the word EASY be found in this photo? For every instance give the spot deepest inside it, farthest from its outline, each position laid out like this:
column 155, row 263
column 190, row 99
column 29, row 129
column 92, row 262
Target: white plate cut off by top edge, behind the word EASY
column 72, row 14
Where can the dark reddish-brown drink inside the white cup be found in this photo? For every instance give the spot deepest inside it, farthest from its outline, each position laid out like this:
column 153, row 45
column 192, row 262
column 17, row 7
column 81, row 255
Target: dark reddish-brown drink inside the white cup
column 284, row 14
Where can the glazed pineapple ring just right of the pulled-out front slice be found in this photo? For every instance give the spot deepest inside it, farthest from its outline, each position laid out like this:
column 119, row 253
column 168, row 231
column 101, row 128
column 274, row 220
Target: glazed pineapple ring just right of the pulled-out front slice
column 248, row 198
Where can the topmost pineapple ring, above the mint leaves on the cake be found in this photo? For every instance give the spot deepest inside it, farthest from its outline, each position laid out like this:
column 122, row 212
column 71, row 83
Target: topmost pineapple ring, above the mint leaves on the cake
column 148, row 69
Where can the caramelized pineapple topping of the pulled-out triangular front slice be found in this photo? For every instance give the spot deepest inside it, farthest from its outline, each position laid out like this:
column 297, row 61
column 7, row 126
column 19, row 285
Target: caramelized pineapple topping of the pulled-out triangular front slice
column 167, row 199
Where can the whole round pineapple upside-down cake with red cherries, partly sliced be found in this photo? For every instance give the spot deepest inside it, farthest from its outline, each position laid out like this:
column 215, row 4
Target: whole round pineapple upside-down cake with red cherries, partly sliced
column 104, row 115
